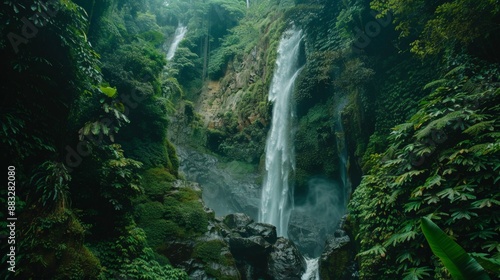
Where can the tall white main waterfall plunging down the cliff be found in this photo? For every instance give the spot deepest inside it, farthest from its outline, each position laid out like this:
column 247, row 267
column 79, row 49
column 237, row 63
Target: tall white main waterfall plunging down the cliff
column 277, row 194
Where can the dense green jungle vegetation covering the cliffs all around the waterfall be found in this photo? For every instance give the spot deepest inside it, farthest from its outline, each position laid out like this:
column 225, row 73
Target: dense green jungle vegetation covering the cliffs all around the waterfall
column 92, row 114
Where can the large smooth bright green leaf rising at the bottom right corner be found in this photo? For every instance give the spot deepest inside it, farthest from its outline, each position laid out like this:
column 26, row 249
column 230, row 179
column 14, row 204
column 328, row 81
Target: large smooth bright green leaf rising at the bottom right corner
column 460, row 264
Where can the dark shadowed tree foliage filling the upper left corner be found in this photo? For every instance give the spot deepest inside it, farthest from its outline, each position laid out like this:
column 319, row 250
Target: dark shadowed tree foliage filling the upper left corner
column 34, row 112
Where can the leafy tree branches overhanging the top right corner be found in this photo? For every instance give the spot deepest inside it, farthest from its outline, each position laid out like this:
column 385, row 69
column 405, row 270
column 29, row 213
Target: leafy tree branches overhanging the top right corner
column 441, row 25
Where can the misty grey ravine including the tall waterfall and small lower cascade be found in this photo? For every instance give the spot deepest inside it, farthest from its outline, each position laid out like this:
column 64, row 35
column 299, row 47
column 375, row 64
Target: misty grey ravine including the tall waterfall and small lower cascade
column 227, row 192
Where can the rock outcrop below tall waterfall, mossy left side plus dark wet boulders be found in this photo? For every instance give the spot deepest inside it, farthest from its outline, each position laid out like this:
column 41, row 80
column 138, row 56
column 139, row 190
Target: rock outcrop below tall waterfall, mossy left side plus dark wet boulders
column 236, row 247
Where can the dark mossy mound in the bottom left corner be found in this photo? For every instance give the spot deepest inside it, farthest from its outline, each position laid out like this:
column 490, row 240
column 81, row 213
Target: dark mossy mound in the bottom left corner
column 53, row 248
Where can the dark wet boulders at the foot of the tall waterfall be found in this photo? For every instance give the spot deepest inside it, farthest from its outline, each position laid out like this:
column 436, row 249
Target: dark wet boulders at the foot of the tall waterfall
column 259, row 253
